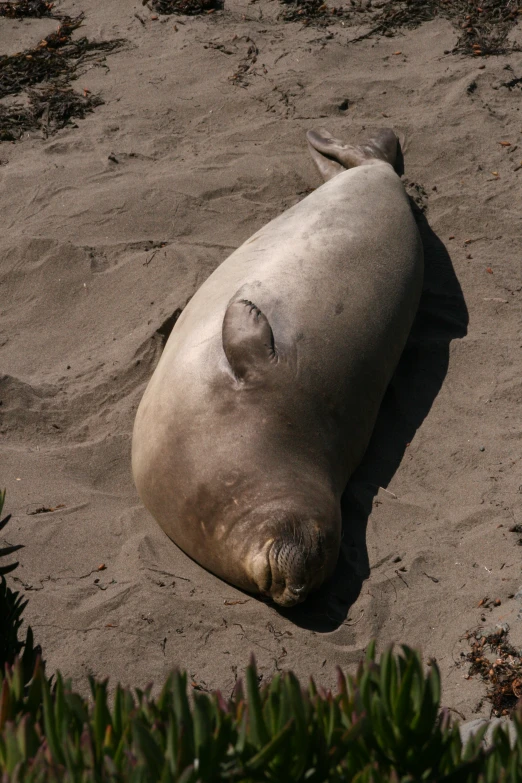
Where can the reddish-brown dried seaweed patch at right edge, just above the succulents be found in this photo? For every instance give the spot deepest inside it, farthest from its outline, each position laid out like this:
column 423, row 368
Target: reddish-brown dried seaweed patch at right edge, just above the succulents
column 499, row 664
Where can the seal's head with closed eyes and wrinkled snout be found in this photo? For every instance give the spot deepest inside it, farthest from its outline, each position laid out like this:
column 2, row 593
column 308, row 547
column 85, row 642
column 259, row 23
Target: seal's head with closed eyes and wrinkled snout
column 299, row 554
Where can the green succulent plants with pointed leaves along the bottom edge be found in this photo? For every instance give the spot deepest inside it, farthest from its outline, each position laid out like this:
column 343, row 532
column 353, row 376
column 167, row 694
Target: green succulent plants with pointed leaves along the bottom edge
column 383, row 725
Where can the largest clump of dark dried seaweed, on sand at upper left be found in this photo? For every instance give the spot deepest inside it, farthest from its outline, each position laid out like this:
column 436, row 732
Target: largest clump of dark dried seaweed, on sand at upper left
column 53, row 64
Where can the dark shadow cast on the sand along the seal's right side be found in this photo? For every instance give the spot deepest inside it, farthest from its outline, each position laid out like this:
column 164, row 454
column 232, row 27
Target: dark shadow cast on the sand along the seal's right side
column 442, row 317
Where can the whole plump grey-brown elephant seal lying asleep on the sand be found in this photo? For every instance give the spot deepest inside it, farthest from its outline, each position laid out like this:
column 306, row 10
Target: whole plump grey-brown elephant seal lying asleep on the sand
column 266, row 395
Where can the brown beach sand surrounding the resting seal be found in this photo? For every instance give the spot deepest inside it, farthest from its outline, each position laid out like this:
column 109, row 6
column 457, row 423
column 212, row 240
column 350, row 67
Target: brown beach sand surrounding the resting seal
column 108, row 229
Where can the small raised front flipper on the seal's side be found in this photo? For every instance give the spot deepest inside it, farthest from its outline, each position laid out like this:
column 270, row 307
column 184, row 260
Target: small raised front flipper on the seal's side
column 248, row 340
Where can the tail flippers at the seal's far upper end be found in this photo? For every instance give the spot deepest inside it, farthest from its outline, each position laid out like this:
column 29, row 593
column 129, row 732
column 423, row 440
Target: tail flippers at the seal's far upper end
column 332, row 156
